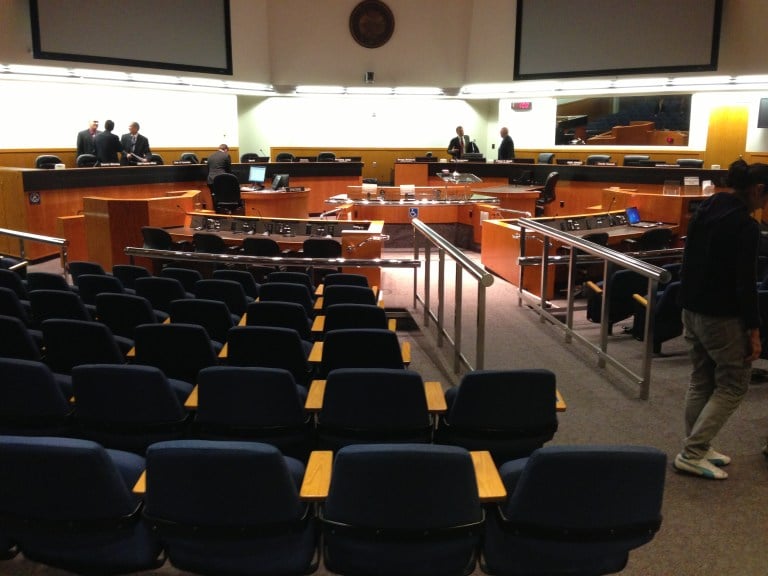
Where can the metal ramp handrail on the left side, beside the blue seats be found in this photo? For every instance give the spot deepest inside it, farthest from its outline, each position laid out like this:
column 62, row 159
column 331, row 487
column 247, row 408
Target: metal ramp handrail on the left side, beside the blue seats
column 463, row 265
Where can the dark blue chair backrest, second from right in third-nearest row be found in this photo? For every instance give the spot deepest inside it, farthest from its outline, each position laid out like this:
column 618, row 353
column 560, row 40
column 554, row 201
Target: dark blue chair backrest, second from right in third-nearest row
column 269, row 347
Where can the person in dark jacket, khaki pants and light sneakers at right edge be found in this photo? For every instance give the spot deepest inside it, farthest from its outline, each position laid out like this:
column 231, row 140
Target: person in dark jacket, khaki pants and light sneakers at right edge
column 720, row 313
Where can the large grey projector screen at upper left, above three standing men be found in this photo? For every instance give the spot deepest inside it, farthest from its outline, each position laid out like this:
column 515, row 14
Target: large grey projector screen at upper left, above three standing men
column 184, row 35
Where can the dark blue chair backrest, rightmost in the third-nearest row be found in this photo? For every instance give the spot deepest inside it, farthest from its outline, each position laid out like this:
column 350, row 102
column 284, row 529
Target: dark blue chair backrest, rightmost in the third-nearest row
column 360, row 348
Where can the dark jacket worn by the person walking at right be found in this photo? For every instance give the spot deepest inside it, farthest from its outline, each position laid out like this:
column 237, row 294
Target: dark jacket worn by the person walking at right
column 719, row 273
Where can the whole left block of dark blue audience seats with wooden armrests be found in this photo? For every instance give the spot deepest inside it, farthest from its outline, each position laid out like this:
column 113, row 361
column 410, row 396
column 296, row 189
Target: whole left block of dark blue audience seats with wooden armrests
column 286, row 467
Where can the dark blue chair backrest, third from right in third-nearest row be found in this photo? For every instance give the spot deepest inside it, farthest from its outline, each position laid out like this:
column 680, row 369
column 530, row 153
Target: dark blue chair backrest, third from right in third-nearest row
column 179, row 350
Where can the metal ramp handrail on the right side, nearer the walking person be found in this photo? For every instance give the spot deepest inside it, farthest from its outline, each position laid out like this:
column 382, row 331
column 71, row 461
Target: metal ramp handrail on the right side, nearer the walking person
column 607, row 256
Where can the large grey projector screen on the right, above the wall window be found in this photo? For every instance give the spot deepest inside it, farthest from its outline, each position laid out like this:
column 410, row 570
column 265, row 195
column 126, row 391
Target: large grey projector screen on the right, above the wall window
column 568, row 38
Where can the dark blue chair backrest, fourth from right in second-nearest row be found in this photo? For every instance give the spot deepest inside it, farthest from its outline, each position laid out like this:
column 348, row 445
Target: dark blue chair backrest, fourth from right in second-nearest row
column 126, row 407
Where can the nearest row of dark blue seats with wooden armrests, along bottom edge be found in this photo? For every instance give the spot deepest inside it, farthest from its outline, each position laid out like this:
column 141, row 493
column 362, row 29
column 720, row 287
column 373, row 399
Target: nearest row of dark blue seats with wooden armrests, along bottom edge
column 237, row 508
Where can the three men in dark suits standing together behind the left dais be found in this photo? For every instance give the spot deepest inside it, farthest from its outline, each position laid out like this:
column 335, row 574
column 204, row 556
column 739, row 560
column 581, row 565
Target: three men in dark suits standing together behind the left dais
column 106, row 146
